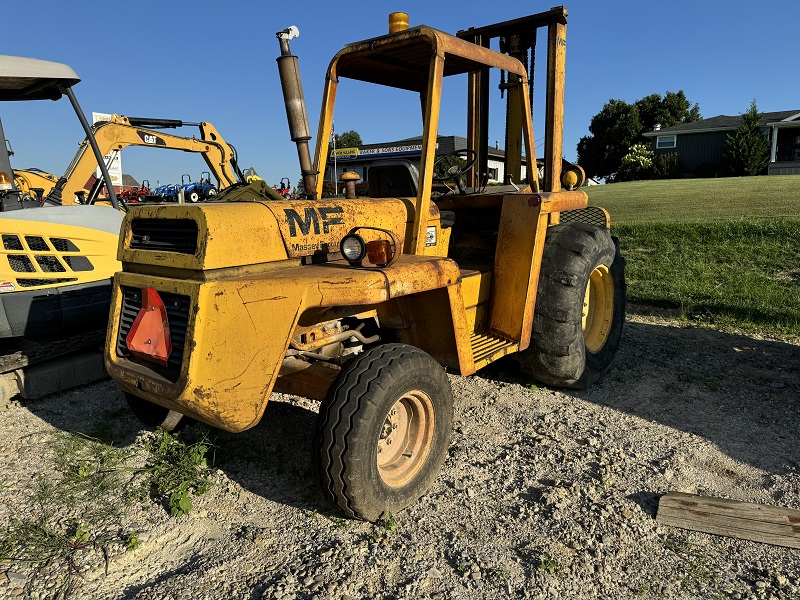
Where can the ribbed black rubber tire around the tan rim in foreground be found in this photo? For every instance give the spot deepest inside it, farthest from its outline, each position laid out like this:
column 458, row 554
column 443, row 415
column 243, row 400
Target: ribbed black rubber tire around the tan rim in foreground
column 353, row 417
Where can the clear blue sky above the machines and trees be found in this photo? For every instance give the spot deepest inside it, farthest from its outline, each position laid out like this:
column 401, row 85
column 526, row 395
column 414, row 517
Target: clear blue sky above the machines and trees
column 212, row 61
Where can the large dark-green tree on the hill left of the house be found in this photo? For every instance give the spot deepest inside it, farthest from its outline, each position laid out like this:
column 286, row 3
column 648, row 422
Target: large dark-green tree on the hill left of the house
column 619, row 126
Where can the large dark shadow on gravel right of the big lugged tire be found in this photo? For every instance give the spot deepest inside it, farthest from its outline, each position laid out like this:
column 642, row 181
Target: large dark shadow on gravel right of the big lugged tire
column 739, row 393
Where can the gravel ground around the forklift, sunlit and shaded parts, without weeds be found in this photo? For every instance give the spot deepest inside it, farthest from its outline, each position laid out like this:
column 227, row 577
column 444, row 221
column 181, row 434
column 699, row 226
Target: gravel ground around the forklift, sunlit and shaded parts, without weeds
column 545, row 493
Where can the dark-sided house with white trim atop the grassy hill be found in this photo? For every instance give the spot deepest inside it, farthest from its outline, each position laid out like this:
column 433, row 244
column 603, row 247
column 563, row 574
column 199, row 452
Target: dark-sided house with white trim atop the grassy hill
column 700, row 144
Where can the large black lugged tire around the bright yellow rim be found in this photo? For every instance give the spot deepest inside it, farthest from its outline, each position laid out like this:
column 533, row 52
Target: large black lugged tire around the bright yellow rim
column 558, row 355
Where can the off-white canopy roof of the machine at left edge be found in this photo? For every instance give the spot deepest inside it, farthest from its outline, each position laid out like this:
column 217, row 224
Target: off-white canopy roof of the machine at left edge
column 33, row 79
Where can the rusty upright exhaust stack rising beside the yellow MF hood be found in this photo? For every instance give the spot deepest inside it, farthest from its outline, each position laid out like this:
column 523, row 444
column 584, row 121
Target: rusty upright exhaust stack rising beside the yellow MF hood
column 295, row 104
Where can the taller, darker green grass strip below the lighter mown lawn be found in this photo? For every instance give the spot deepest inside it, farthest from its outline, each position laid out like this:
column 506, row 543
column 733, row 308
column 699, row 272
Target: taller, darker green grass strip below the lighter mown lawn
column 742, row 274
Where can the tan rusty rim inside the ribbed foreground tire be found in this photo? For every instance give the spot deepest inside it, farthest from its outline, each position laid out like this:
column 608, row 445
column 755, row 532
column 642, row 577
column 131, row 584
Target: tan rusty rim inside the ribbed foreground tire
column 405, row 438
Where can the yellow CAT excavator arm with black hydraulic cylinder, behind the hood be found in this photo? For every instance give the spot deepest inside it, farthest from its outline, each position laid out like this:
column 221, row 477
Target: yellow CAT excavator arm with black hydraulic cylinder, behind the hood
column 121, row 132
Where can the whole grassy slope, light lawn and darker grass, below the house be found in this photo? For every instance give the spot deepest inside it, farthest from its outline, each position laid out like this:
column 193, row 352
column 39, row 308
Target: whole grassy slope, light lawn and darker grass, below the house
column 724, row 252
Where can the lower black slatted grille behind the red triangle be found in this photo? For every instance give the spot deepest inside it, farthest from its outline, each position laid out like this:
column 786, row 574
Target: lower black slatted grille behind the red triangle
column 178, row 315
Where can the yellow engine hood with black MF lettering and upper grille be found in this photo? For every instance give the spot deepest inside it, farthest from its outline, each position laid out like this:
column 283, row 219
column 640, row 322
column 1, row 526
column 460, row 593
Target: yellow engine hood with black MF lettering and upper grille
column 231, row 234
